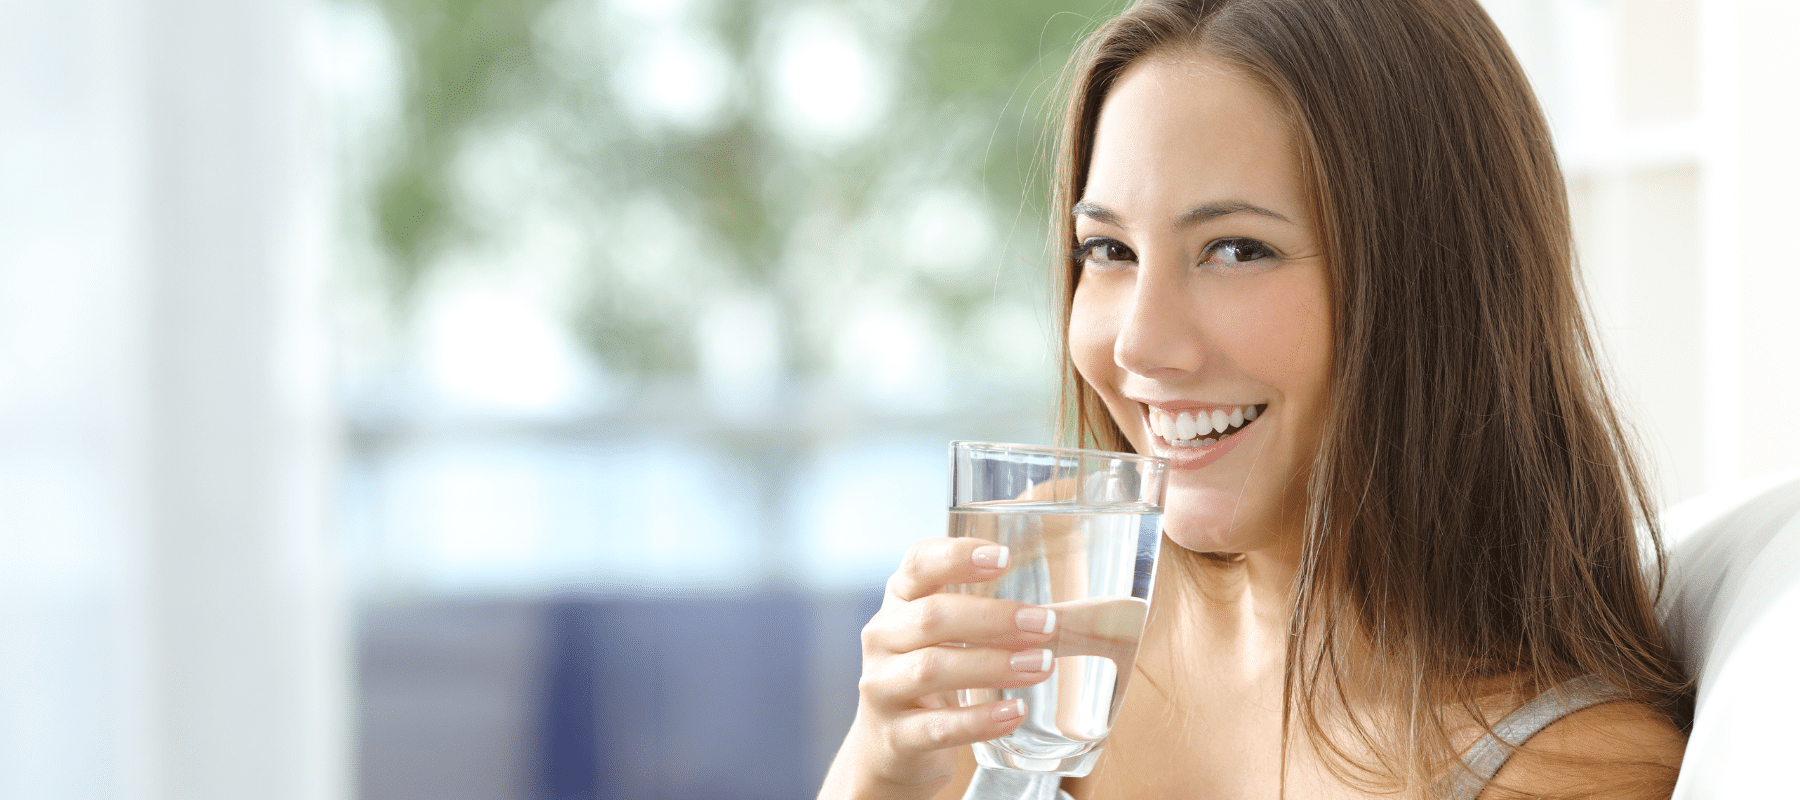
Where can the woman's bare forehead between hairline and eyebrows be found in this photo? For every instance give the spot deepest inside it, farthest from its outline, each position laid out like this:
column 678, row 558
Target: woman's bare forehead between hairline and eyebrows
column 1185, row 131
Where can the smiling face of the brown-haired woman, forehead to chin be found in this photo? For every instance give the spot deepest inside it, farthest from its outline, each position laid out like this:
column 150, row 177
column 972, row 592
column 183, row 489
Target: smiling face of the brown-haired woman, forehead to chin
column 1203, row 298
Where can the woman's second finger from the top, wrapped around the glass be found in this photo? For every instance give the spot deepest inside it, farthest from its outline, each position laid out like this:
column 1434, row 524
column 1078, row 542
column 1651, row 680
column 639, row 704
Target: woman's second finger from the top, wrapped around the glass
column 962, row 619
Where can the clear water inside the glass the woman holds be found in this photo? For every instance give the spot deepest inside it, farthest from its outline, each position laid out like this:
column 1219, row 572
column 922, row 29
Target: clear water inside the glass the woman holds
column 1095, row 568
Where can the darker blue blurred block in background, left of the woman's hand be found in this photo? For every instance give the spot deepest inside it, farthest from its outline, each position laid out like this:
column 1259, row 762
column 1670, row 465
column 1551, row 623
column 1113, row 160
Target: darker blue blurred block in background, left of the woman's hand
column 679, row 700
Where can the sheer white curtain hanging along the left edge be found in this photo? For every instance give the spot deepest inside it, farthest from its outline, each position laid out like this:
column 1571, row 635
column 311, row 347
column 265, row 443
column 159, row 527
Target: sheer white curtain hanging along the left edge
column 170, row 617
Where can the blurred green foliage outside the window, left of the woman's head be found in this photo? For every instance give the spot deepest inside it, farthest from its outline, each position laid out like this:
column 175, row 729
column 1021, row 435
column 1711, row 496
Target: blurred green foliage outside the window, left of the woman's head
column 971, row 82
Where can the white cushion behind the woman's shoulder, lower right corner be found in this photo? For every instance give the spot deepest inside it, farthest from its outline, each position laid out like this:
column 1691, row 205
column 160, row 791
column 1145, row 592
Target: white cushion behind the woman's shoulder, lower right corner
column 1732, row 612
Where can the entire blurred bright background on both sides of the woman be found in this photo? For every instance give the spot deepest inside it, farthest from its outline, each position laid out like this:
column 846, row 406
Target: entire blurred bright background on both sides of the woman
column 526, row 399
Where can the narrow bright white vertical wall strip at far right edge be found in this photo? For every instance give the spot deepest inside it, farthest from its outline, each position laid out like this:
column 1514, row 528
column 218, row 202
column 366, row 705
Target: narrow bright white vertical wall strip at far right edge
column 1750, row 107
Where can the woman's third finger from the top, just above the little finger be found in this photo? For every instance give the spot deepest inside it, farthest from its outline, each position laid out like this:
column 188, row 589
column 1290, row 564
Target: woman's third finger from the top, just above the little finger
column 899, row 684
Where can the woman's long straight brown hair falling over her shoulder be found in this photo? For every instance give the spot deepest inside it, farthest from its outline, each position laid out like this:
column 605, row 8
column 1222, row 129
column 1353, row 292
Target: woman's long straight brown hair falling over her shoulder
column 1475, row 505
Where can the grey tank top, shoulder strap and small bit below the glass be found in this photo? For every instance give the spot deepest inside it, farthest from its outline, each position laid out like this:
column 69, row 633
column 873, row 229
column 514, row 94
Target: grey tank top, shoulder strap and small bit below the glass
column 1482, row 761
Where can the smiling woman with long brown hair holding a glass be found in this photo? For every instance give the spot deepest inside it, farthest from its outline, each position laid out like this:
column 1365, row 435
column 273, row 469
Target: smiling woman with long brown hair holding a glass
column 1347, row 217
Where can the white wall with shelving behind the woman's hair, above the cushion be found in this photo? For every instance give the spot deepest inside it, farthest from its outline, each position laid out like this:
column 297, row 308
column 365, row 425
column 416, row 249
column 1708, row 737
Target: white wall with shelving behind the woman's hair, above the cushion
column 1677, row 123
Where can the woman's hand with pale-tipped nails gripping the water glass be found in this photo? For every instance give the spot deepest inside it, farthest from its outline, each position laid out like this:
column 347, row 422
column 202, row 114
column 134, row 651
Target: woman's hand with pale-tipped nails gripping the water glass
column 903, row 743
